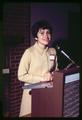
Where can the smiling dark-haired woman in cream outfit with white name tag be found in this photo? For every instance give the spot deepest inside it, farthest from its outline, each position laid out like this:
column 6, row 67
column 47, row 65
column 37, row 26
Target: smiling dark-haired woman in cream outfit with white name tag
column 37, row 63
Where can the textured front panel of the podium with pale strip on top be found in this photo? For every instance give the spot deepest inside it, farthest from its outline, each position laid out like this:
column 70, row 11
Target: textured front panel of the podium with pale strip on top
column 71, row 96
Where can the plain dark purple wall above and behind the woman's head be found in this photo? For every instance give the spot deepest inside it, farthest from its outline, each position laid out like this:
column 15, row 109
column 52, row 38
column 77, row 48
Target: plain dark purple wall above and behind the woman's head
column 57, row 14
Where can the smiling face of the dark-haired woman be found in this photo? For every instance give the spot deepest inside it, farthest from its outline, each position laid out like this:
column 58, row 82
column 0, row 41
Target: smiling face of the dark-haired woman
column 44, row 36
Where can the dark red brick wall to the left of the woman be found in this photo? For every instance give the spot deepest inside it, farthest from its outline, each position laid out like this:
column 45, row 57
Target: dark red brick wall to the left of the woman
column 14, row 40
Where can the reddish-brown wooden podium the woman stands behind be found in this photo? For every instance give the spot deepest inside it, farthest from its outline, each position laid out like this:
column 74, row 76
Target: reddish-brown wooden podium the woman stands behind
column 61, row 100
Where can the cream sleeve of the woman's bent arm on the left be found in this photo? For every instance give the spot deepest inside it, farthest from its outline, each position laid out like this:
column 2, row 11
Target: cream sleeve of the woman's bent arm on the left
column 23, row 69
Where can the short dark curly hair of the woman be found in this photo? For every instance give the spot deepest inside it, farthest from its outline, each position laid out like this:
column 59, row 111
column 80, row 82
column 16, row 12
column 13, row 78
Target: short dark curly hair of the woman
column 40, row 24
